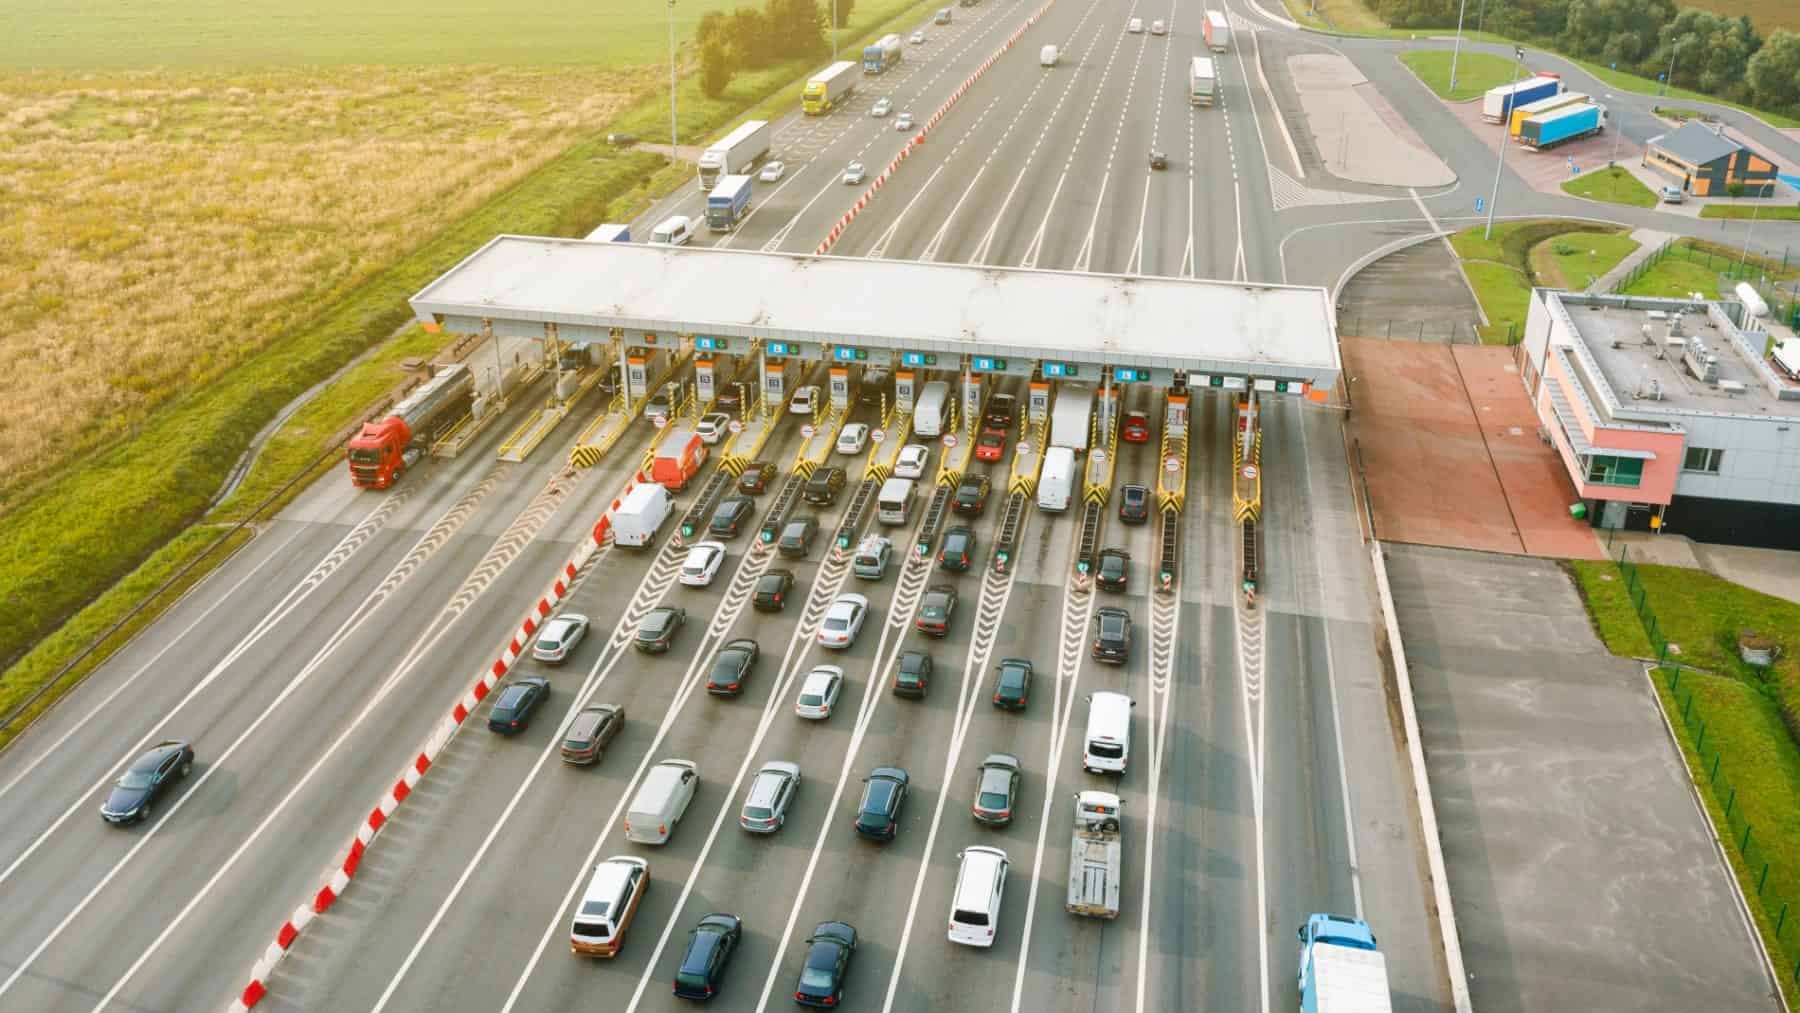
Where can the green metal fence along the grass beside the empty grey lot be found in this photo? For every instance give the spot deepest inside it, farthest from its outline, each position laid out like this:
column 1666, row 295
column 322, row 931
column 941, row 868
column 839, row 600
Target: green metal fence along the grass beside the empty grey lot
column 1770, row 888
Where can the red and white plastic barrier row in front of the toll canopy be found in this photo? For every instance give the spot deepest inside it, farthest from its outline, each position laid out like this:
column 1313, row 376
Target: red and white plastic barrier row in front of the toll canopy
column 427, row 755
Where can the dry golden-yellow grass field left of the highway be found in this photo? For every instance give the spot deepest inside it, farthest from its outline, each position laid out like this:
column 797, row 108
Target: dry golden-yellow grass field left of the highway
column 161, row 228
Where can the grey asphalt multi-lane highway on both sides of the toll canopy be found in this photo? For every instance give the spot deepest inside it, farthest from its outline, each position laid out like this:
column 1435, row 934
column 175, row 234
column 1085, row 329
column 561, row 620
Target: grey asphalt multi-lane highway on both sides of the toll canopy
column 1266, row 784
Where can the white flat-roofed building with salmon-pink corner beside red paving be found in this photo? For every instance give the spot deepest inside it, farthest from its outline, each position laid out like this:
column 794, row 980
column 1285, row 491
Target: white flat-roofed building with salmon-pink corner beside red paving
column 1669, row 409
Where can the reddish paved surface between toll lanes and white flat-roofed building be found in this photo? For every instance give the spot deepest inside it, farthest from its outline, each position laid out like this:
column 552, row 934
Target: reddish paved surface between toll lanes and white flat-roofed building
column 1450, row 449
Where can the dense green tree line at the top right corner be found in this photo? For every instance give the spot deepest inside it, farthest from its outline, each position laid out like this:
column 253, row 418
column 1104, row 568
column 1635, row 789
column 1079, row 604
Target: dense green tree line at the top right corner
column 1713, row 53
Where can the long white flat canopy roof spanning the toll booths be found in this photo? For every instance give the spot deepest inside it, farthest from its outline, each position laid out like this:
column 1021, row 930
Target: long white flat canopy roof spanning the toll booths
column 589, row 289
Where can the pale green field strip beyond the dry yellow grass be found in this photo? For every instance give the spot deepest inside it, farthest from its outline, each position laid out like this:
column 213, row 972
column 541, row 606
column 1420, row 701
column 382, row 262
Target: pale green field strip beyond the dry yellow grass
column 190, row 35
